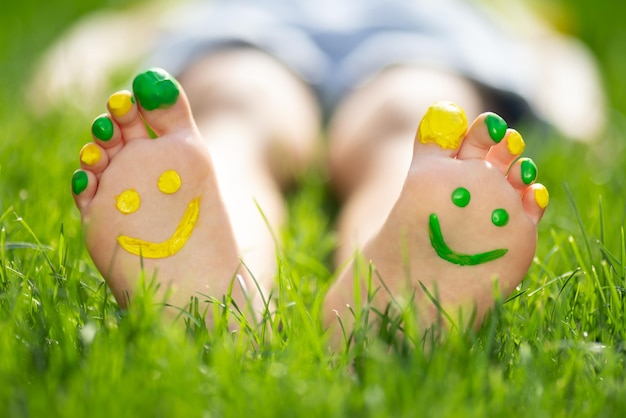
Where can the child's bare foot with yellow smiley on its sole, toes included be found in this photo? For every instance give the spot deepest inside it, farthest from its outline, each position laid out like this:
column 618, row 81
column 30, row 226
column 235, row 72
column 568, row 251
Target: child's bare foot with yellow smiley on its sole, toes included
column 153, row 205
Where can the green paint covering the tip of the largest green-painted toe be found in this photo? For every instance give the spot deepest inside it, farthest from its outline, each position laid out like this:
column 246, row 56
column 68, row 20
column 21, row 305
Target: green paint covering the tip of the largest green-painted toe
column 155, row 89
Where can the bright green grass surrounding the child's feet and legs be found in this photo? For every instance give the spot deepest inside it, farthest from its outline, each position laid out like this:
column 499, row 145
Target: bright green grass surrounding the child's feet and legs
column 554, row 348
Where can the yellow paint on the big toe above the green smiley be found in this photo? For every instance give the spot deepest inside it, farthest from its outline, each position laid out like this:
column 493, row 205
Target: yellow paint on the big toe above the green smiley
column 443, row 124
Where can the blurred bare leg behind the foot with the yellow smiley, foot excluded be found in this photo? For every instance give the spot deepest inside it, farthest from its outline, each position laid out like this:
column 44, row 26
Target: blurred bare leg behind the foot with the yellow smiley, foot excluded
column 261, row 124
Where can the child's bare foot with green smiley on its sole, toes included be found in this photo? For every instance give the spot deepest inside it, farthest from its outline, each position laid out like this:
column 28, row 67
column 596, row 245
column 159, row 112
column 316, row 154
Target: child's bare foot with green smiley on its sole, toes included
column 464, row 219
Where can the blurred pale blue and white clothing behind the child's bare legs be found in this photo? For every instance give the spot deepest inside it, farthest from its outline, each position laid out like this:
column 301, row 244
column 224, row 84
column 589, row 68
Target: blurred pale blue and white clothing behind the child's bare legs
column 334, row 45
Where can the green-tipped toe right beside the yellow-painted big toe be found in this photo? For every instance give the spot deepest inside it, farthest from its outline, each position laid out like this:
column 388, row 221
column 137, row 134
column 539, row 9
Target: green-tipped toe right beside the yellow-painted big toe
column 487, row 130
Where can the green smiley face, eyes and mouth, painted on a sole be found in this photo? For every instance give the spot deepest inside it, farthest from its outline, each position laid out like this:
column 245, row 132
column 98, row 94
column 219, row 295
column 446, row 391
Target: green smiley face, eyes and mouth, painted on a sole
column 461, row 197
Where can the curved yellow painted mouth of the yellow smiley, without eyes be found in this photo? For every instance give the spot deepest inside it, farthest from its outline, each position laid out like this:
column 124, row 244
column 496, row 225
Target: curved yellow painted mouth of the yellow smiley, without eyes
column 170, row 246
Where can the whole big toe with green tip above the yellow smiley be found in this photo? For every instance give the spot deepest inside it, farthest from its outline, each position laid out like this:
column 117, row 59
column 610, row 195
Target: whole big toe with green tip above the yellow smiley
column 162, row 102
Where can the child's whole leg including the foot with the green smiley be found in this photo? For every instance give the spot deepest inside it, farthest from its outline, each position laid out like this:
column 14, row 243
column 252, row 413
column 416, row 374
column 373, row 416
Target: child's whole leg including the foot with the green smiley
column 443, row 214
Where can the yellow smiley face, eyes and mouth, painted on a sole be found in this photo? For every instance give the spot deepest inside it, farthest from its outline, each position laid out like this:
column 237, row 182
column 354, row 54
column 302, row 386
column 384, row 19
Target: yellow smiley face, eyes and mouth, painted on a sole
column 129, row 201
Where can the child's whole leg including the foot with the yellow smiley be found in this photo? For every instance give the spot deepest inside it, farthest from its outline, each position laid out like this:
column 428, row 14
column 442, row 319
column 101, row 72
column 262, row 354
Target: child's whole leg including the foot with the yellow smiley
column 157, row 204
